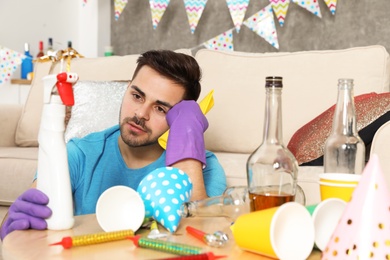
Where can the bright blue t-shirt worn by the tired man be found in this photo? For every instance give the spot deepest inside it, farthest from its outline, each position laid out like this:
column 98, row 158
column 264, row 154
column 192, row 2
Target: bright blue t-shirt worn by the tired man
column 96, row 164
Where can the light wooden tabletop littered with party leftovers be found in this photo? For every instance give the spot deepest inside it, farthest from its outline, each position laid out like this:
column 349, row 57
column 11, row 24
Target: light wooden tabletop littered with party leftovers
column 33, row 244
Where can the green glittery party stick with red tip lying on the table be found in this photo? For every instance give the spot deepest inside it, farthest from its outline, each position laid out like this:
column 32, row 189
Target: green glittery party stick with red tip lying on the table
column 165, row 246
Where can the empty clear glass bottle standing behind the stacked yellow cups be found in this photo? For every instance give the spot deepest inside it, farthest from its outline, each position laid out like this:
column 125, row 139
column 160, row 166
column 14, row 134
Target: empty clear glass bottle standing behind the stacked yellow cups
column 344, row 150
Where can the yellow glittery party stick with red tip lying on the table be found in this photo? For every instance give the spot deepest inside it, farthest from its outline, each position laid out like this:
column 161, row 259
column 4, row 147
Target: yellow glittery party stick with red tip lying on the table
column 91, row 239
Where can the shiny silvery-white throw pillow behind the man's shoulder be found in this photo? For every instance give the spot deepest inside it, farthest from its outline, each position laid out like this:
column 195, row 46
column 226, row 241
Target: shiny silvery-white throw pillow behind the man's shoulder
column 97, row 106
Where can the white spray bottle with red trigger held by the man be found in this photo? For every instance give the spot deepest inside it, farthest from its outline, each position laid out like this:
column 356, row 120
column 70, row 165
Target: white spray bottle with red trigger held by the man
column 53, row 170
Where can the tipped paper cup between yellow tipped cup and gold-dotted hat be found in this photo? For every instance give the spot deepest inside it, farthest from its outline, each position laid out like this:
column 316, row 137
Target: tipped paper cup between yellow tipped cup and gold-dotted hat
column 325, row 216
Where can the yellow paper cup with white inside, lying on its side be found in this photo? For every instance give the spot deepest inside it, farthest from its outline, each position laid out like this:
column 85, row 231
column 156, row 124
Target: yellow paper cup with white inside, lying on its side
column 285, row 232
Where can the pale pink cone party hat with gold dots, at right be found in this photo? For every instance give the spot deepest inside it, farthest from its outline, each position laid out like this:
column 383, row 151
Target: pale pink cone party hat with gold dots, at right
column 364, row 228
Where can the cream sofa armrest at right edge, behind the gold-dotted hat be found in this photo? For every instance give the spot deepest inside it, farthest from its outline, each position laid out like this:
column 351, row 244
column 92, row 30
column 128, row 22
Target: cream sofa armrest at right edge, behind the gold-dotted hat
column 380, row 146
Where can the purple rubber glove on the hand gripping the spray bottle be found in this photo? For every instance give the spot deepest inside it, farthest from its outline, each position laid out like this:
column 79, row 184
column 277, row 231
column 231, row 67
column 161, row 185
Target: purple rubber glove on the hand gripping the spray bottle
column 29, row 211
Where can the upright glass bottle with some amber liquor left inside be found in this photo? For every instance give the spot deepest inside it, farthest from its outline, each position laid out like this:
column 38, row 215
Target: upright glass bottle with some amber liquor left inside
column 272, row 170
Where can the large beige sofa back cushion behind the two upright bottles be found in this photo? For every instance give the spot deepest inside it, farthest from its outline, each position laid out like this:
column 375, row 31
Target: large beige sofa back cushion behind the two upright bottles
column 236, row 120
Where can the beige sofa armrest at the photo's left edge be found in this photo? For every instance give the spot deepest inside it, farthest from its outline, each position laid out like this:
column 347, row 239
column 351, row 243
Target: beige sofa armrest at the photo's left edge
column 9, row 118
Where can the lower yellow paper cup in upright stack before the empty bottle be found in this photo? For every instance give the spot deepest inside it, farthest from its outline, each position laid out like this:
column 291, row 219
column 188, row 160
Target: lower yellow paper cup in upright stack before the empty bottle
column 336, row 190
